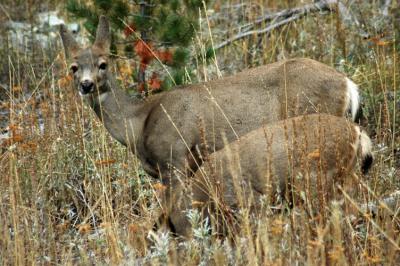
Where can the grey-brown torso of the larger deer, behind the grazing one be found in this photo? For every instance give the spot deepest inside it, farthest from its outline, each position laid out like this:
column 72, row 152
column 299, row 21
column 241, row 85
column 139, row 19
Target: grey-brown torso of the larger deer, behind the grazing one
column 235, row 105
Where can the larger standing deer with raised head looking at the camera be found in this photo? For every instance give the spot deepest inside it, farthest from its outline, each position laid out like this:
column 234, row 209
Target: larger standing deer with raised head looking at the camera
column 175, row 130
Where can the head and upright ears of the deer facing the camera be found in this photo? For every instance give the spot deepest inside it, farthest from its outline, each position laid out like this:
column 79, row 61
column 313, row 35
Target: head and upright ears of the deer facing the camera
column 89, row 65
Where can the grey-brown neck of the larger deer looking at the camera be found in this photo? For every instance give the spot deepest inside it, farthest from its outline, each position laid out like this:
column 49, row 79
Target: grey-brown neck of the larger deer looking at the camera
column 122, row 115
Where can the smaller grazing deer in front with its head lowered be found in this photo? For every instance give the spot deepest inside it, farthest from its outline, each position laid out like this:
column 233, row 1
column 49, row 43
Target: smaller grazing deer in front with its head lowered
column 300, row 159
